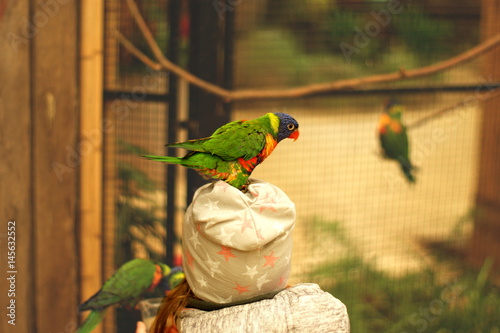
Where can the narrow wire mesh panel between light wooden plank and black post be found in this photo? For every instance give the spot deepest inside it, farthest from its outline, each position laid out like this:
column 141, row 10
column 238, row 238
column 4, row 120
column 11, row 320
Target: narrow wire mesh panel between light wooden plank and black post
column 136, row 116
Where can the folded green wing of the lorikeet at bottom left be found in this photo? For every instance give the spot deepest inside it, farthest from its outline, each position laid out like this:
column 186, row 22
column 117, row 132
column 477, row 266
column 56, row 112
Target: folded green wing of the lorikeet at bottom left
column 129, row 282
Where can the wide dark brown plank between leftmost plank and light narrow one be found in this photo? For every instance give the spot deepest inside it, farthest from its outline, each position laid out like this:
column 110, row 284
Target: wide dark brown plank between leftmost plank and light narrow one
column 56, row 159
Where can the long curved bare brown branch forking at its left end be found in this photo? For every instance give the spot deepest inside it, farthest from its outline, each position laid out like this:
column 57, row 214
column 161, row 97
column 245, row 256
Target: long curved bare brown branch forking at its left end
column 312, row 89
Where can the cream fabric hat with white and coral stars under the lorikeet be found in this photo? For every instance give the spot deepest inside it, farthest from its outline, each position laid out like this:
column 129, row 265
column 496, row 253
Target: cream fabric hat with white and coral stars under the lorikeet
column 237, row 245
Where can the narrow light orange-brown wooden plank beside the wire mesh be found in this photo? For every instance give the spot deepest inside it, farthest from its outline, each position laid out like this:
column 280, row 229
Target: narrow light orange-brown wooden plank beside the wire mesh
column 91, row 132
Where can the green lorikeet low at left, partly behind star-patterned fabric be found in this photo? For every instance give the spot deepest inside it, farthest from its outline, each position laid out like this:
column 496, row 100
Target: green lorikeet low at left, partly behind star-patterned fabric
column 126, row 287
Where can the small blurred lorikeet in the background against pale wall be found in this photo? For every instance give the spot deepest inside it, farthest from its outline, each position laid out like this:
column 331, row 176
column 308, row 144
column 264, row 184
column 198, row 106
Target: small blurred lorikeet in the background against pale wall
column 393, row 138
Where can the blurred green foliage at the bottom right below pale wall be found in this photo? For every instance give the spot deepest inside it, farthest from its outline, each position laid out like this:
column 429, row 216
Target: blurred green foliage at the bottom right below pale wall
column 417, row 302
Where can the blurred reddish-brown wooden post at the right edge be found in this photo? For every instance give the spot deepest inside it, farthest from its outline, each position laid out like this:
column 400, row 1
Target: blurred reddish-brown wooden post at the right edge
column 486, row 237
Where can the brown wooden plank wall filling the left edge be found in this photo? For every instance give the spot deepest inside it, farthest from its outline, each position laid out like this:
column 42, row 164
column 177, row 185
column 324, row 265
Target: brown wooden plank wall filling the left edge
column 43, row 148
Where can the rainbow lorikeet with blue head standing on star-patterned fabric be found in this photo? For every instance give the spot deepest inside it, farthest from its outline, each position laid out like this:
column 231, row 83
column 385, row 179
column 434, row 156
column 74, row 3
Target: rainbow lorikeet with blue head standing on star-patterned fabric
column 235, row 149
